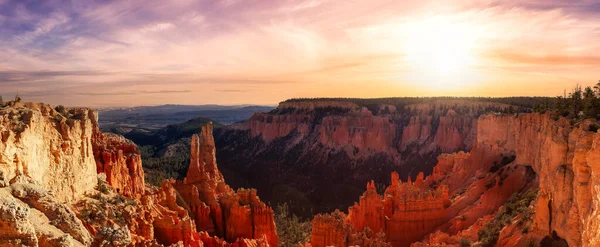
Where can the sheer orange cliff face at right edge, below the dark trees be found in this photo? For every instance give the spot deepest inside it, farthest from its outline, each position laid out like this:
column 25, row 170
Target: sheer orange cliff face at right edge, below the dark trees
column 565, row 158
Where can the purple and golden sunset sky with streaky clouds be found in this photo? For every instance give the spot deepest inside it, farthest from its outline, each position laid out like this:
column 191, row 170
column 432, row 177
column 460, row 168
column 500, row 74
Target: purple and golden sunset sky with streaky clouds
column 147, row 52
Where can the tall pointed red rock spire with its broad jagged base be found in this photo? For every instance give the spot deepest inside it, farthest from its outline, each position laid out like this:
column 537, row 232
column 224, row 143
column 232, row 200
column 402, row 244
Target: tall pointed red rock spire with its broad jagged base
column 215, row 207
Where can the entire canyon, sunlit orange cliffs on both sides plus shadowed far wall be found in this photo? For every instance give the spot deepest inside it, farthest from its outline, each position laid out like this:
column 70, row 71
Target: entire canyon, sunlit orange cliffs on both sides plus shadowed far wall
column 498, row 178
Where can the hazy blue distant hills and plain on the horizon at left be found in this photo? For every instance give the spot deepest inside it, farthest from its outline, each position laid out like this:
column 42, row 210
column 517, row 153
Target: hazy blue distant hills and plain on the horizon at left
column 156, row 117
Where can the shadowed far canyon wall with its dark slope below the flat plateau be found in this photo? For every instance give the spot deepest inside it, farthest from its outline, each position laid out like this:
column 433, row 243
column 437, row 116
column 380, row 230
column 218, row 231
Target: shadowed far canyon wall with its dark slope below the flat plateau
column 308, row 150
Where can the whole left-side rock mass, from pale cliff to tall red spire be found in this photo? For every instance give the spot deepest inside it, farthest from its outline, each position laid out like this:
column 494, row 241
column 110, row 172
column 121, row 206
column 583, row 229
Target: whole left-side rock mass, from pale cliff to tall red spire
column 63, row 183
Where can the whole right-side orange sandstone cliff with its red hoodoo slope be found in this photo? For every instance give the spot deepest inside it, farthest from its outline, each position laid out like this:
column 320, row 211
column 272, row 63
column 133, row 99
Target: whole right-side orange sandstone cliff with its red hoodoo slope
column 468, row 192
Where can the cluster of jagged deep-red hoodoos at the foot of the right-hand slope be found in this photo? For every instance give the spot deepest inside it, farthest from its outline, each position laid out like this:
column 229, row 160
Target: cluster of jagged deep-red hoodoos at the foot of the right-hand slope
column 405, row 213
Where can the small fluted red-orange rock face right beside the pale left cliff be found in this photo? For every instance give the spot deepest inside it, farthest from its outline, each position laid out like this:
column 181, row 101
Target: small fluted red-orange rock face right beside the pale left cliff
column 119, row 159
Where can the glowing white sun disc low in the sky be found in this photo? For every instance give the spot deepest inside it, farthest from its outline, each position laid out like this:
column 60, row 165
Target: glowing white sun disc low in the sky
column 440, row 51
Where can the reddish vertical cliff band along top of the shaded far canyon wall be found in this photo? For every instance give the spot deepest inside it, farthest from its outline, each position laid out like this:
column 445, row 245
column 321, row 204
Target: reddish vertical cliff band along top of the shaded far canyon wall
column 360, row 128
